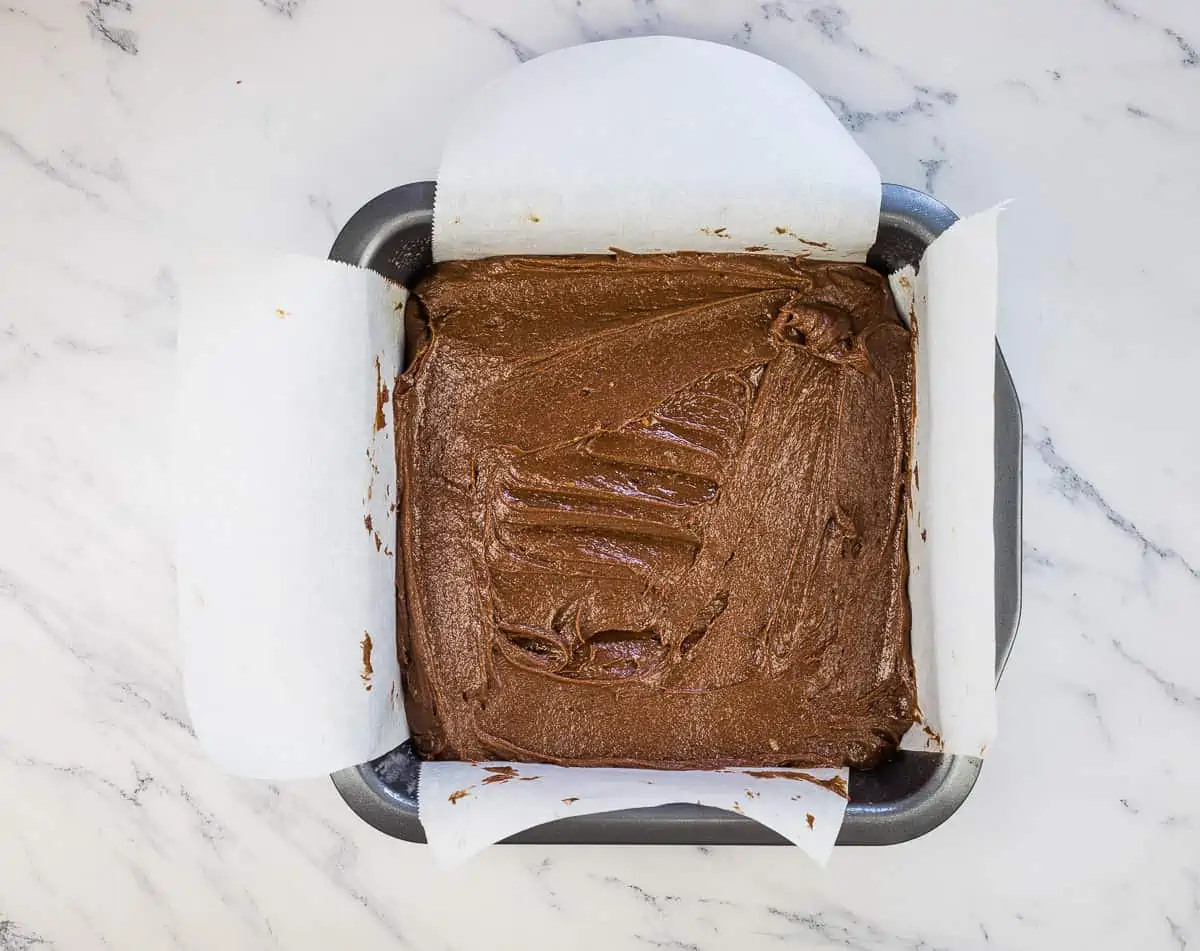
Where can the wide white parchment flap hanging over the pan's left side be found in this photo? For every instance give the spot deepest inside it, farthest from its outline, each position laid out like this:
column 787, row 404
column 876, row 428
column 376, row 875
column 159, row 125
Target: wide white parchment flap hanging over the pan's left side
column 286, row 492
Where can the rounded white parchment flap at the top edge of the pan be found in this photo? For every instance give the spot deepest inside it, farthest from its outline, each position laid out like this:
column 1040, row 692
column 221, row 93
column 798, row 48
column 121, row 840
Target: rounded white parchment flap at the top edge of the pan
column 653, row 145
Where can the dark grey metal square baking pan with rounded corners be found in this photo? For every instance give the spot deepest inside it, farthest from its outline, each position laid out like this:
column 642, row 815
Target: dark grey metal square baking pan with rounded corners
column 895, row 803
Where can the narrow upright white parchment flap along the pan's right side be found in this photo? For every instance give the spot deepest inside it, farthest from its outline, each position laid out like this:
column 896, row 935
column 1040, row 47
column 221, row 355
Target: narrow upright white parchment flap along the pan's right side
column 951, row 545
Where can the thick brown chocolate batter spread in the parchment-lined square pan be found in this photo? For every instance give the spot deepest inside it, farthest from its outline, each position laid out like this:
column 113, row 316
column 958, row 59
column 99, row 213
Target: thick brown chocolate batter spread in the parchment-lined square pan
column 653, row 513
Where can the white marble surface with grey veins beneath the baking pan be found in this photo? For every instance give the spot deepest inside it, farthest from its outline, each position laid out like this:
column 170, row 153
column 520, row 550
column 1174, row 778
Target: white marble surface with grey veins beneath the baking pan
column 271, row 122
